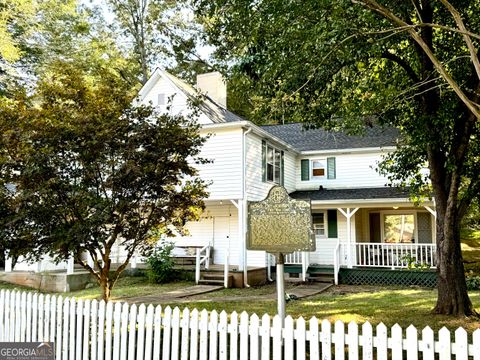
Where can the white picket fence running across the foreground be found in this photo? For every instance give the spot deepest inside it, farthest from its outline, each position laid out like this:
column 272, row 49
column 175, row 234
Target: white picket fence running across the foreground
column 96, row 330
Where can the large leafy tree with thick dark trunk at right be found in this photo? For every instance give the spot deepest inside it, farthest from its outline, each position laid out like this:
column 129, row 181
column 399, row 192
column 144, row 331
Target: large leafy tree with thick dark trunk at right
column 338, row 64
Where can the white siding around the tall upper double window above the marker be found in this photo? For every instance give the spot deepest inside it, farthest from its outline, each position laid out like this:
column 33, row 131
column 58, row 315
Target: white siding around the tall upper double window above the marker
column 257, row 189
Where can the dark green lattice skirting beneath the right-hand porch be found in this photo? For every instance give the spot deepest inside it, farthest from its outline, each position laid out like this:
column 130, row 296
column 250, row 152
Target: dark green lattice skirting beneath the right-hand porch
column 376, row 276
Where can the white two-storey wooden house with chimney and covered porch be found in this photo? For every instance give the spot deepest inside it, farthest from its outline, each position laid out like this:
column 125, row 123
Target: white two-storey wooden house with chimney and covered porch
column 358, row 220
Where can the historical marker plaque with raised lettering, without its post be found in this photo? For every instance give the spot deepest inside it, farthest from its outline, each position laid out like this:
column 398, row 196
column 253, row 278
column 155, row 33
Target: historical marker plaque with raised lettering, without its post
column 280, row 224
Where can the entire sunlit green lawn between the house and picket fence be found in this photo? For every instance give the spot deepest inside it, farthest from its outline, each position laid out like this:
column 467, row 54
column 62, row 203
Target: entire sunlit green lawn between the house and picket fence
column 389, row 305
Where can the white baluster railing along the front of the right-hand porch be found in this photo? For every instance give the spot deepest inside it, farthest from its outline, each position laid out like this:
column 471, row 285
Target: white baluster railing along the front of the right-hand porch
column 389, row 255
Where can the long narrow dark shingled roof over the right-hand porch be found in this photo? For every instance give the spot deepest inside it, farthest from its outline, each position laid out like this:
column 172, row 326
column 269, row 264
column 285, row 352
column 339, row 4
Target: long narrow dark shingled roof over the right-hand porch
column 353, row 194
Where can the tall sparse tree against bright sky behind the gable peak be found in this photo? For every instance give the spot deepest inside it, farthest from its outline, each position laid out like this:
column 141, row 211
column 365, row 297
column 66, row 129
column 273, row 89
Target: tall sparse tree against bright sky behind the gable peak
column 160, row 32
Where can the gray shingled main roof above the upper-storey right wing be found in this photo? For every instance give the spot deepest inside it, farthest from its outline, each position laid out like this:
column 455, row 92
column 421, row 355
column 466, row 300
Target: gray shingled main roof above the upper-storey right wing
column 319, row 139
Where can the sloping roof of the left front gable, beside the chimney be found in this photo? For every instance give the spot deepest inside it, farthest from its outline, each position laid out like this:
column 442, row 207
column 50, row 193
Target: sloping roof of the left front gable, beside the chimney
column 216, row 112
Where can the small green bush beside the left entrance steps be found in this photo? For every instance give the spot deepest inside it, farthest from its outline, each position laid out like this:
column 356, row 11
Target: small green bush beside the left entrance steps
column 160, row 263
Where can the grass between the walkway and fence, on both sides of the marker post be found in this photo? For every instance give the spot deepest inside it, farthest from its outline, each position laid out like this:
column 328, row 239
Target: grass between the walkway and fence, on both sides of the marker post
column 389, row 305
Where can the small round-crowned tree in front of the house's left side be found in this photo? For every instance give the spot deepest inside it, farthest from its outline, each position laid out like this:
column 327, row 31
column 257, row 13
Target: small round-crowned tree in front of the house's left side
column 92, row 171
